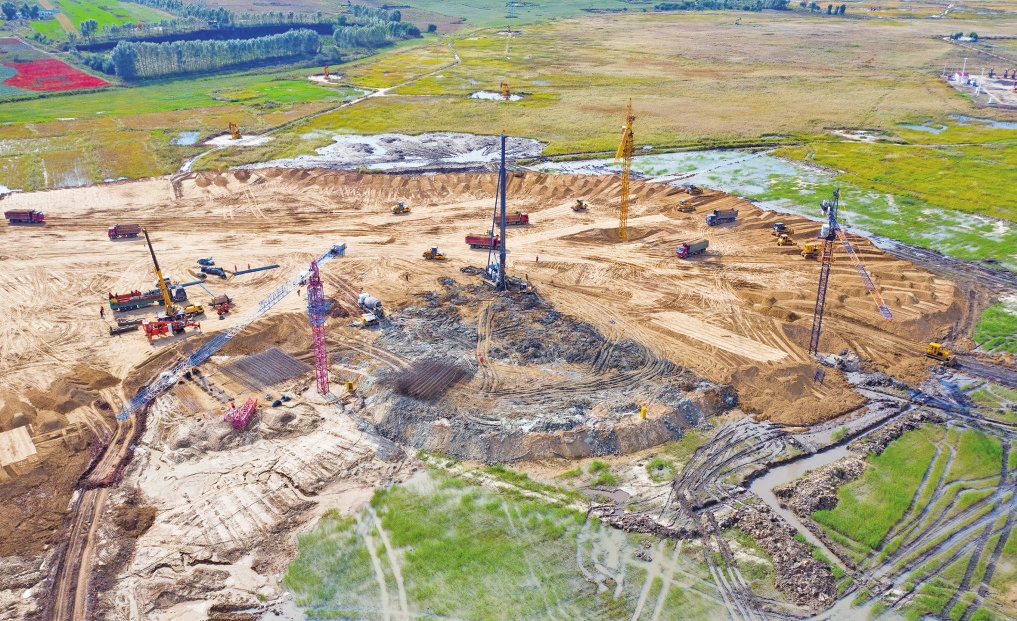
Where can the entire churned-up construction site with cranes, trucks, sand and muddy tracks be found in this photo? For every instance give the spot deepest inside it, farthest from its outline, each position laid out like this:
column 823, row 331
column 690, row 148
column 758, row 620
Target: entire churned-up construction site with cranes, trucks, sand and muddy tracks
column 183, row 395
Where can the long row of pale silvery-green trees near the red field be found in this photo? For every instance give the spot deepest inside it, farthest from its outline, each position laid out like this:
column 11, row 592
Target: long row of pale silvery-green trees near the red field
column 141, row 59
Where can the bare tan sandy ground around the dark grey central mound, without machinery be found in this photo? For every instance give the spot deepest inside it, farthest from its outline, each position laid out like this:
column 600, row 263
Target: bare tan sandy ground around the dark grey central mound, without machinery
column 739, row 315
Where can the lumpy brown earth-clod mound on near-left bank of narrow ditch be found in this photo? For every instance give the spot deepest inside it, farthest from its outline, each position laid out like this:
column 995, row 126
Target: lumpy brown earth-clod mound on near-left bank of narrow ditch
column 804, row 580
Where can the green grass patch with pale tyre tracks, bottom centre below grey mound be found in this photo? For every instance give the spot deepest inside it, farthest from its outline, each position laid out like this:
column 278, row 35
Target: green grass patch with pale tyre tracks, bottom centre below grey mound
column 460, row 551
